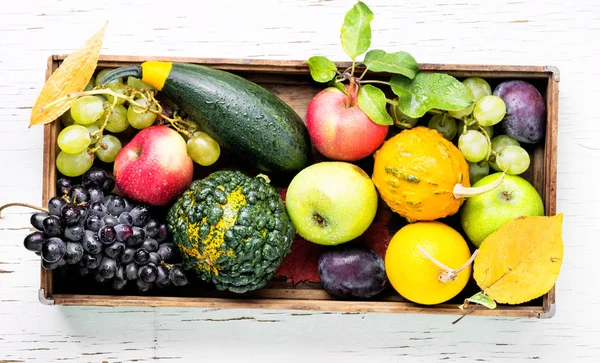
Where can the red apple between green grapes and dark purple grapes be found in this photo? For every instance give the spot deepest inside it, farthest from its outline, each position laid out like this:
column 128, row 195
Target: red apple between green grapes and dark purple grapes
column 154, row 167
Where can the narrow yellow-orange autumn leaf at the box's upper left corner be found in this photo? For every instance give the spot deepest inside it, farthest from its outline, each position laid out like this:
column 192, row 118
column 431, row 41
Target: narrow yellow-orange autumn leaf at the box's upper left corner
column 71, row 76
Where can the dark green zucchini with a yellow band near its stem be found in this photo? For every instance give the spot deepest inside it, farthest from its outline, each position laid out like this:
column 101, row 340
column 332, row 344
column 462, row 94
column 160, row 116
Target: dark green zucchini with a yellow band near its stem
column 239, row 114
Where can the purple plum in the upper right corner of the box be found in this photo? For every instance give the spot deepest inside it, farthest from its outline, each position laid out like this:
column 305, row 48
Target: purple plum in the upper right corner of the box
column 525, row 119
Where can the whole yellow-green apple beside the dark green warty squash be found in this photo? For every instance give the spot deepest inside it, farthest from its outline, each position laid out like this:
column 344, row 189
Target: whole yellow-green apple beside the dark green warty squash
column 331, row 202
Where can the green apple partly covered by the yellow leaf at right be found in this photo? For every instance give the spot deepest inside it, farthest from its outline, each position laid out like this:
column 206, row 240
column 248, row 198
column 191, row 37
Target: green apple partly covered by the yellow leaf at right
column 483, row 214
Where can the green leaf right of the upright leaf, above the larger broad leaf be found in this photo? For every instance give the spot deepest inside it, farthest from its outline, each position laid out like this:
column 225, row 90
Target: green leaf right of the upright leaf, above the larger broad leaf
column 400, row 63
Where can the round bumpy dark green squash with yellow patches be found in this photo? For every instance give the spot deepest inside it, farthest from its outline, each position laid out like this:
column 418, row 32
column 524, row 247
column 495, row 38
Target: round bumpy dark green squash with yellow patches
column 232, row 230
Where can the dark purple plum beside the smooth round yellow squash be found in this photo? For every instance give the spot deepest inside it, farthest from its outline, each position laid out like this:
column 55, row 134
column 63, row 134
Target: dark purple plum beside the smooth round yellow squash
column 352, row 272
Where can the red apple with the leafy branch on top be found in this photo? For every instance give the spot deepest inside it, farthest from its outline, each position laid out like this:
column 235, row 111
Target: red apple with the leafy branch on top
column 339, row 132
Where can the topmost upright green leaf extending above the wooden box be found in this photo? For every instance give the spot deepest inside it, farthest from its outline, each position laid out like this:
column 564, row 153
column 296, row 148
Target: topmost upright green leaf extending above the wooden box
column 356, row 30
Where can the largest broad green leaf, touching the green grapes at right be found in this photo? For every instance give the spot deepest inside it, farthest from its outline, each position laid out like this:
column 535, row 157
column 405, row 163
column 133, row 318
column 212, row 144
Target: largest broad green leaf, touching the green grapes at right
column 430, row 90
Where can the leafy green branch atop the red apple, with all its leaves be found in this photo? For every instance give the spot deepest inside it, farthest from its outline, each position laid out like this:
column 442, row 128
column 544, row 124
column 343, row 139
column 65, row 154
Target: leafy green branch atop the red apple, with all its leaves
column 417, row 92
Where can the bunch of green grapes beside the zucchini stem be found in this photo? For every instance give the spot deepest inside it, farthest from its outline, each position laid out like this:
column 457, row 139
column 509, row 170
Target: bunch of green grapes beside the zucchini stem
column 102, row 111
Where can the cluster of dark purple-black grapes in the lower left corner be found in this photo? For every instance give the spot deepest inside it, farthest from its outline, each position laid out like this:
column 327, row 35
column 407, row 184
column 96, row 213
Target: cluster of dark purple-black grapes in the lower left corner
column 105, row 235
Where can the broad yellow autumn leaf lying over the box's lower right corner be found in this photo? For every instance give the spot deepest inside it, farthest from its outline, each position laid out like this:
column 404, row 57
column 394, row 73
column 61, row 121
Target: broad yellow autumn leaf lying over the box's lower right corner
column 521, row 260
